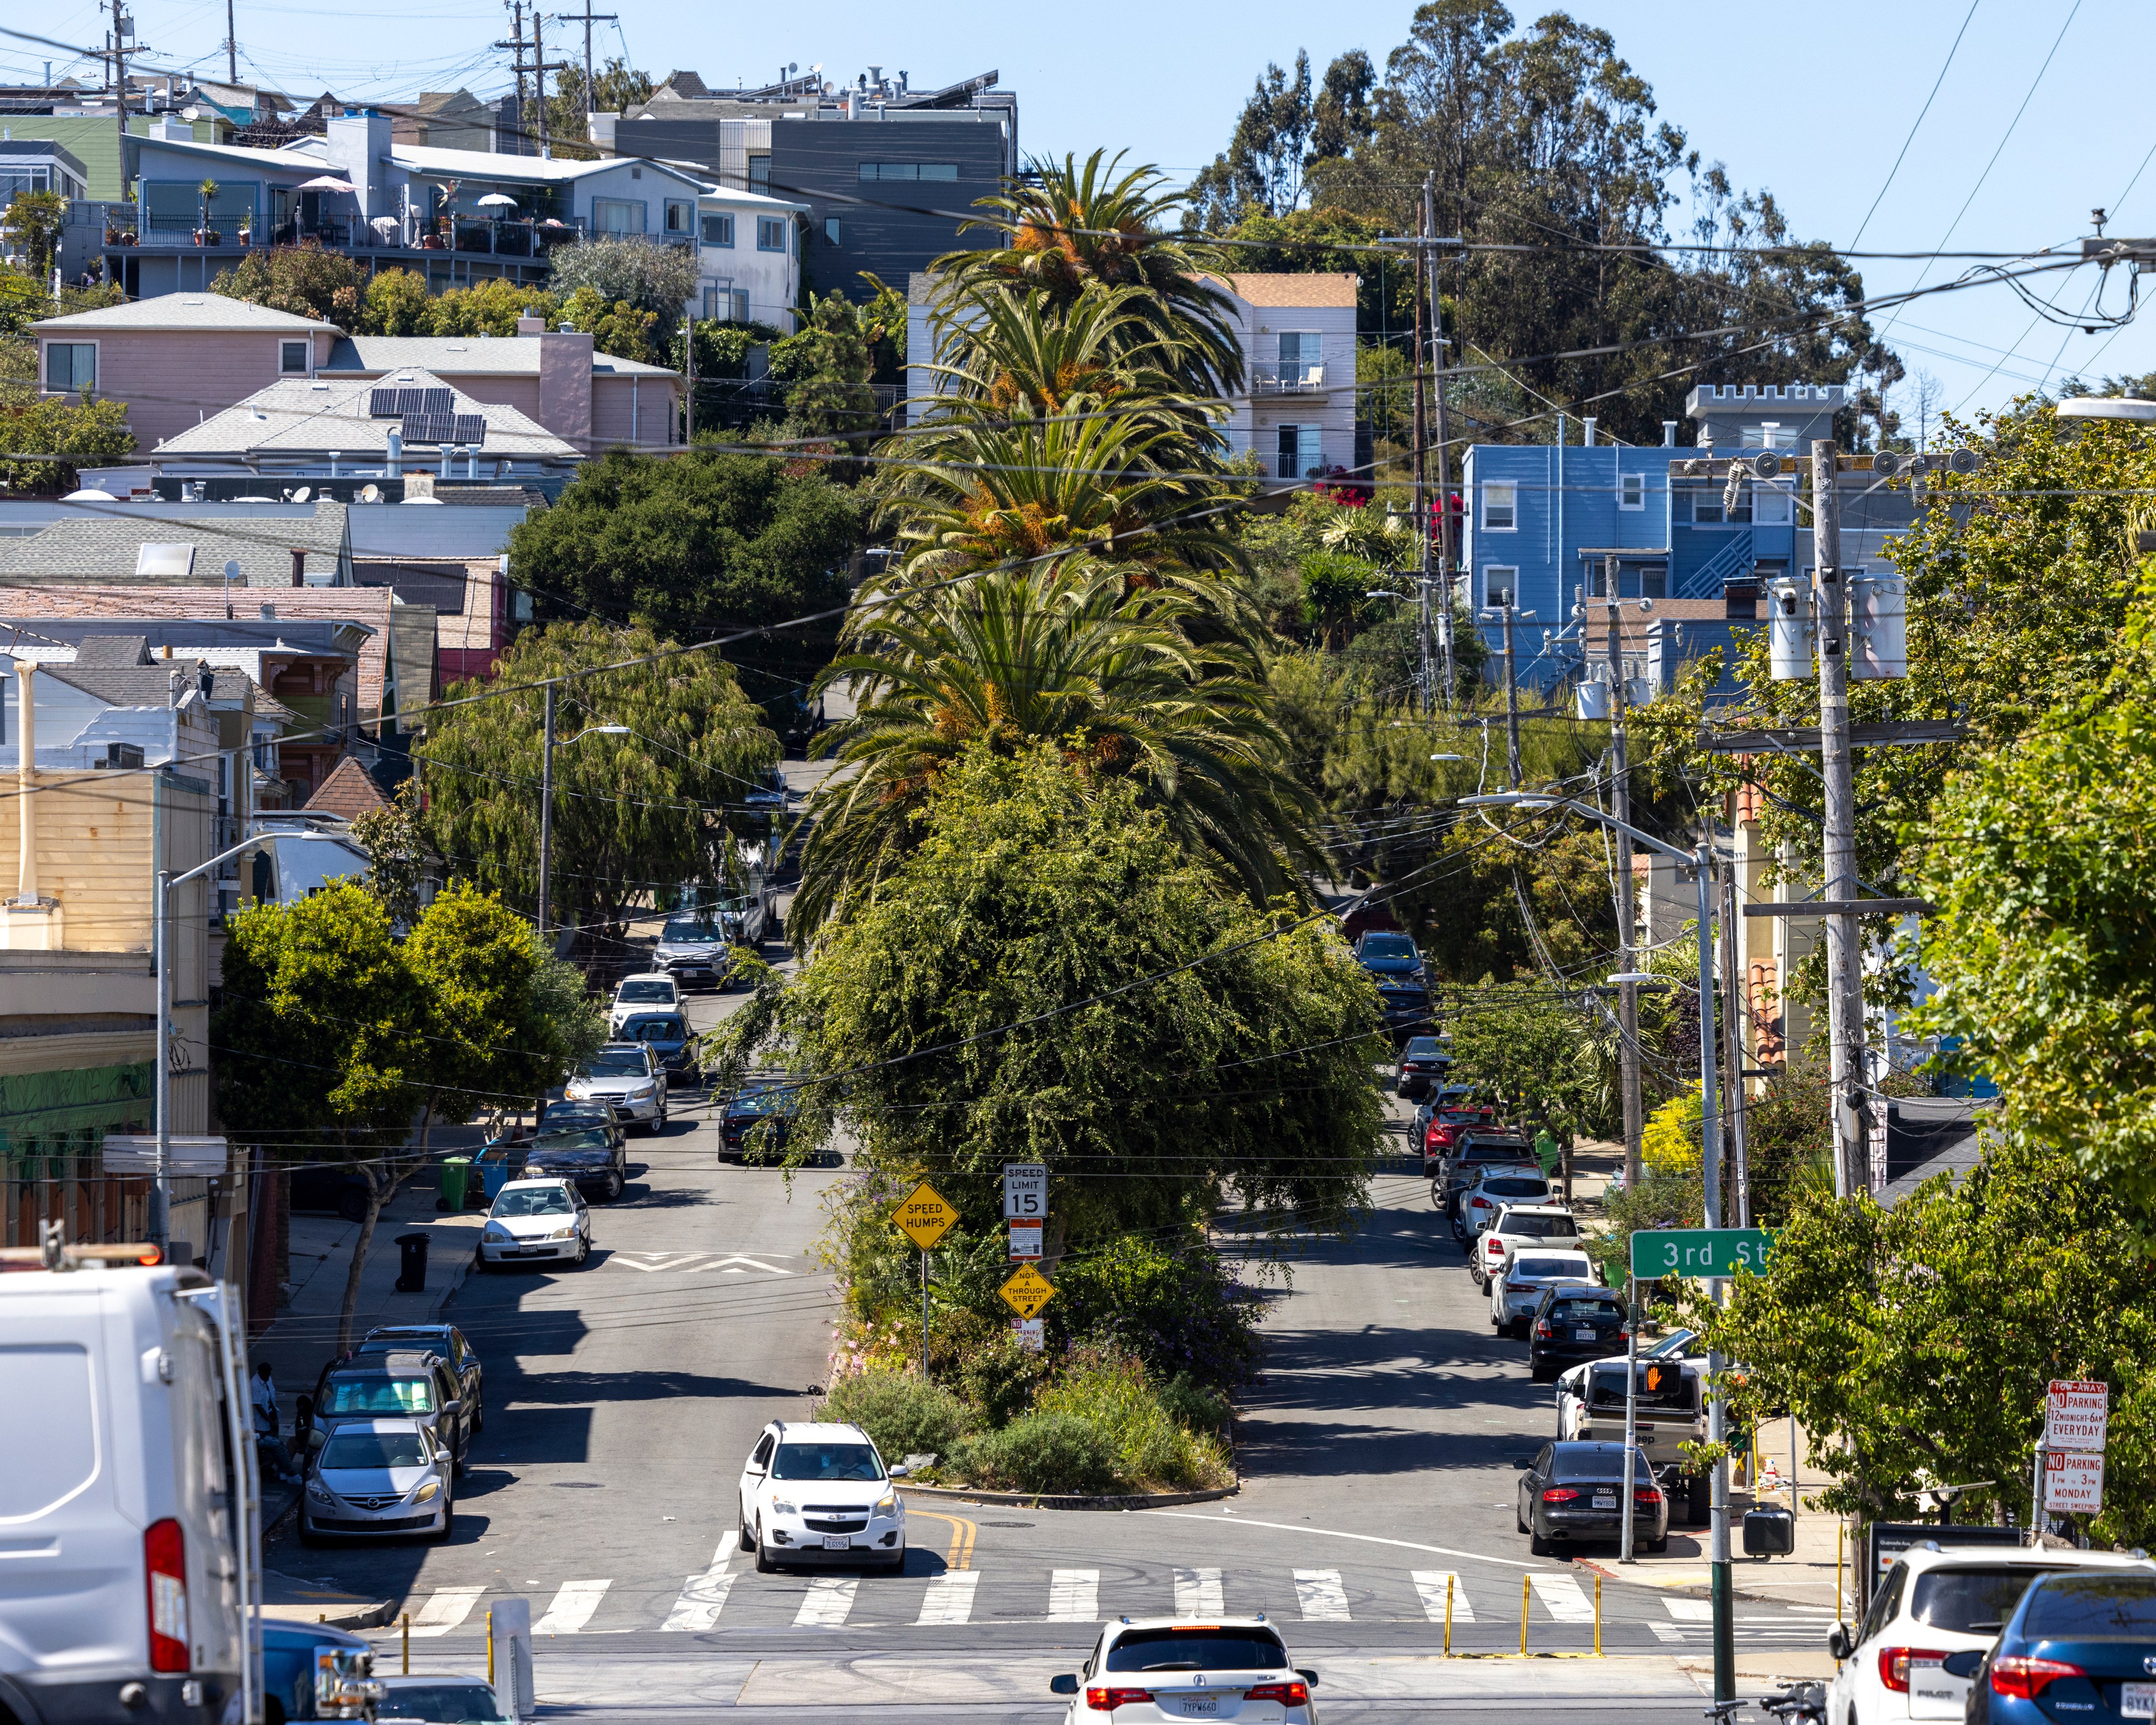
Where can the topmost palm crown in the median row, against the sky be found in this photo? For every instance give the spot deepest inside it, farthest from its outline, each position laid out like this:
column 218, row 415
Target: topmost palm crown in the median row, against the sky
column 1094, row 227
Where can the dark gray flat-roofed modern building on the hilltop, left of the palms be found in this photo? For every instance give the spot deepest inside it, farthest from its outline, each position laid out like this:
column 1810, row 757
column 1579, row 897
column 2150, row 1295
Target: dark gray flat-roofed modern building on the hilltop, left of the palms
column 887, row 171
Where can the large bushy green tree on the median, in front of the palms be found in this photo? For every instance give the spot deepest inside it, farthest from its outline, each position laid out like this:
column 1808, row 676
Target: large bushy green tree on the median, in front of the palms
column 980, row 1012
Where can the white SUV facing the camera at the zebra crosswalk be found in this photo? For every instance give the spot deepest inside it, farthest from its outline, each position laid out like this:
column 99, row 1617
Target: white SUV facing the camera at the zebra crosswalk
column 820, row 1495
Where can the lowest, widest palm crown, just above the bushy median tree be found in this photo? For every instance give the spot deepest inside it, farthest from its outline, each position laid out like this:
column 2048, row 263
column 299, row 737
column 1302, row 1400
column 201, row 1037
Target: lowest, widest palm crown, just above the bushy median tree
column 1077, row 659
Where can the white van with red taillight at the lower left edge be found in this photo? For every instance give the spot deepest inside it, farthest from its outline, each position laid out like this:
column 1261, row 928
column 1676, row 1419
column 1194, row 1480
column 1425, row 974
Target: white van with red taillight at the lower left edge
column 128, row 1502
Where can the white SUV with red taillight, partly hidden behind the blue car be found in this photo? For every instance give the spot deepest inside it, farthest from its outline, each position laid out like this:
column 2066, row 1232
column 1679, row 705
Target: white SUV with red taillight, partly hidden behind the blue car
column 1937, row 1601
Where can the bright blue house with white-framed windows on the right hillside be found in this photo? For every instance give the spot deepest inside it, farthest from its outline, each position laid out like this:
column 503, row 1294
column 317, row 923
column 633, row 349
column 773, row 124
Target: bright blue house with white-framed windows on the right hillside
column 1545, row 521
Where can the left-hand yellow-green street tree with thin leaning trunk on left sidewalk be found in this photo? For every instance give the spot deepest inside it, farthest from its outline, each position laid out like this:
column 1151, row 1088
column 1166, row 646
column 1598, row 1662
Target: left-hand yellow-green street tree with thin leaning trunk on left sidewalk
column 316, row 1025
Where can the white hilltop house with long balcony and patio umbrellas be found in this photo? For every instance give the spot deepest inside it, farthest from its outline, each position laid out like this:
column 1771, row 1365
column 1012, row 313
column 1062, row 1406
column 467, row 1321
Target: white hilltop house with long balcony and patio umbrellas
column 454, row 217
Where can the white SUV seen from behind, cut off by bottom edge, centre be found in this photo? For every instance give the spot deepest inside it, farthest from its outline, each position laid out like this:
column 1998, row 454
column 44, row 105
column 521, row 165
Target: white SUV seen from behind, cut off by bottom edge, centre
column 1165, row 1668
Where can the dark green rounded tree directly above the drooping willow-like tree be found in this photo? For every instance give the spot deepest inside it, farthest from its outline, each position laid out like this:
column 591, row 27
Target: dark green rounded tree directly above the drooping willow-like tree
column 695, row 547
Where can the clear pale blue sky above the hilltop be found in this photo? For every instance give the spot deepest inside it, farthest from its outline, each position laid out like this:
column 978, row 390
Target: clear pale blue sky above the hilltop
column 2034, row 124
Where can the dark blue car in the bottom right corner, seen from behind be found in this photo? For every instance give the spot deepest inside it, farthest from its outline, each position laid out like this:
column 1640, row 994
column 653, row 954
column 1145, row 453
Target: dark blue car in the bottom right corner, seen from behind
column 2079, row 1646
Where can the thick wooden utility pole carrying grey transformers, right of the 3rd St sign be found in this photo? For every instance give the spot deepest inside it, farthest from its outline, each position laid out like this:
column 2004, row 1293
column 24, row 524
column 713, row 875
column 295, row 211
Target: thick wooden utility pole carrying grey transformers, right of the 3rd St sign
column 1844, row 974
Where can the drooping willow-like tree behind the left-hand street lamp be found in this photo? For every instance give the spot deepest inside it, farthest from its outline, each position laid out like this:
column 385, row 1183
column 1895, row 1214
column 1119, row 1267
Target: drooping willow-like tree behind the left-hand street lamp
column 633, row 814
